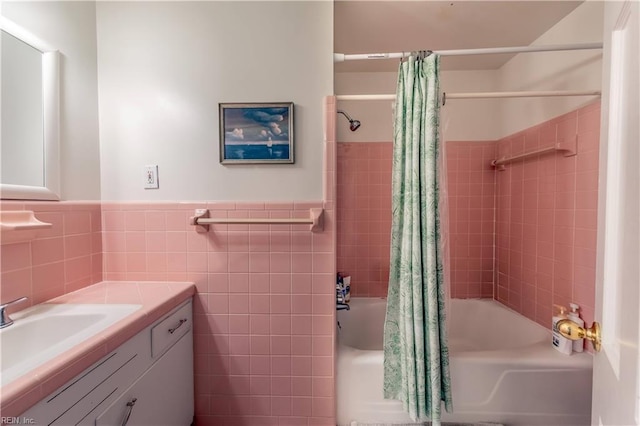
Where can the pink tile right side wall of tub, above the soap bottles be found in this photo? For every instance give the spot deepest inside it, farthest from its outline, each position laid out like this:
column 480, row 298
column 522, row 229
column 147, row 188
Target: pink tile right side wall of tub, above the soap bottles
column 546, row 218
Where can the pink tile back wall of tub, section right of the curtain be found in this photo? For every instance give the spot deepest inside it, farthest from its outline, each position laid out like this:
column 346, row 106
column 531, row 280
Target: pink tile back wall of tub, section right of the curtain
column 471, row 189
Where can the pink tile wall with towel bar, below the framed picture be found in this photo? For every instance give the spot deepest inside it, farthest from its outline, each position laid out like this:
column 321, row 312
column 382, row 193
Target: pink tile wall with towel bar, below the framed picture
column 264, row 309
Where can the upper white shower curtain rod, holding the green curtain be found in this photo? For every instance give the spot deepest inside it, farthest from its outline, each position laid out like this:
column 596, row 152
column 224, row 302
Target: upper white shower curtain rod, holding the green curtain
column 341, row 57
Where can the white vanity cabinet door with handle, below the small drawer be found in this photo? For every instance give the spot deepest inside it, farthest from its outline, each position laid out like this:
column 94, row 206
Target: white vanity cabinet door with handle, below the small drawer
column 162, row 396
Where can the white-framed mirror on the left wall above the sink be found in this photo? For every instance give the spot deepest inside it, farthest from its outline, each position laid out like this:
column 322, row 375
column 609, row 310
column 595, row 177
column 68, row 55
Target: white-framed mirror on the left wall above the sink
column 29, row 148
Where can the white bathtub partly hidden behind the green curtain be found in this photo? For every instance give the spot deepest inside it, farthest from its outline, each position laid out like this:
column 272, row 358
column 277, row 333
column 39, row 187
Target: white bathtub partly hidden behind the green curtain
column 503, row 369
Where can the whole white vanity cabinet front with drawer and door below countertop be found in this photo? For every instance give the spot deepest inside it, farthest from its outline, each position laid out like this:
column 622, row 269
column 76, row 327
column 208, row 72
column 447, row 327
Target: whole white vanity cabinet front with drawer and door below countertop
column 146, row 381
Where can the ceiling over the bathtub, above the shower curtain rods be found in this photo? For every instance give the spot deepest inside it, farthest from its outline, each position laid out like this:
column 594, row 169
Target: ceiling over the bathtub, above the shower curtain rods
column 397, row 26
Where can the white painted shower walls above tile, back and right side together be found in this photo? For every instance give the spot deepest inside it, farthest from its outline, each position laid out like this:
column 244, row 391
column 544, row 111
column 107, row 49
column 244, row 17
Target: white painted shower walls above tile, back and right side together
column 491, row 119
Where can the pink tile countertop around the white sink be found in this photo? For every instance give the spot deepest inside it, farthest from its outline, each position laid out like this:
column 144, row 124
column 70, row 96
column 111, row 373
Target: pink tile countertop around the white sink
column 156, row 298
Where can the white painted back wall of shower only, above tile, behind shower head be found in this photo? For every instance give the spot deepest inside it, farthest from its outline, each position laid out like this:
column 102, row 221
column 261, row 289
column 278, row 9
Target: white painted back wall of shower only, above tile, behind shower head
column 461, row 119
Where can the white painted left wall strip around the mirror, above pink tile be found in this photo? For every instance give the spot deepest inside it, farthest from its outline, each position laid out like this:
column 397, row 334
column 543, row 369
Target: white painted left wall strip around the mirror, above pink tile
column 71, row 28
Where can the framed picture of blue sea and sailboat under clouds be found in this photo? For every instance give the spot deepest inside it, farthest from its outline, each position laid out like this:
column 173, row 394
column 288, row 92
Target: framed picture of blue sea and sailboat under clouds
column 256, row 133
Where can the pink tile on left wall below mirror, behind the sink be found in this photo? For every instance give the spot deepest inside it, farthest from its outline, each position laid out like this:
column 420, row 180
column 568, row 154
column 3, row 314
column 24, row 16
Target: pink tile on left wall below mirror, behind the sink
column 64, row 258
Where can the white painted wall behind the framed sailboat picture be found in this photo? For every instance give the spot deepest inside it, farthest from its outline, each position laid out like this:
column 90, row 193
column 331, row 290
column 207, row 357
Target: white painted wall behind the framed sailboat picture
column 165, row 66
